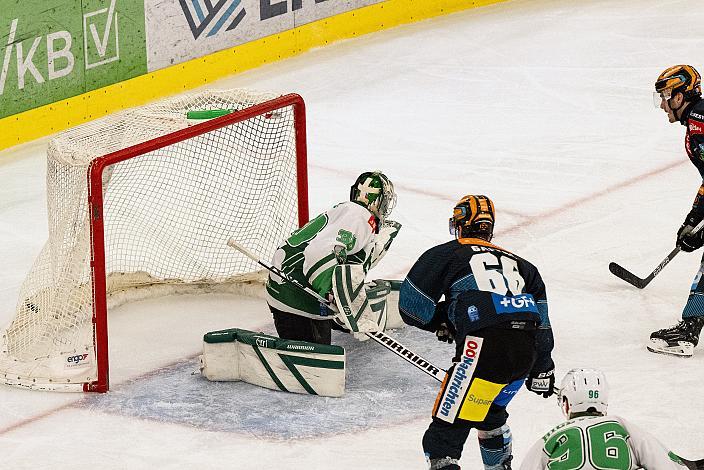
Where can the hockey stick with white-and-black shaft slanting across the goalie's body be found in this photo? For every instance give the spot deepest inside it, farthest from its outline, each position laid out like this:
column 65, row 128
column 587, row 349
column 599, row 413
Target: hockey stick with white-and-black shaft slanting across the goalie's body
column 380, row 337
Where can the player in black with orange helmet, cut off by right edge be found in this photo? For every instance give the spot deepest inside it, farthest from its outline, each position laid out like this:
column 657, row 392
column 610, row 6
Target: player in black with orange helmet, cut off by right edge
column 678, row 93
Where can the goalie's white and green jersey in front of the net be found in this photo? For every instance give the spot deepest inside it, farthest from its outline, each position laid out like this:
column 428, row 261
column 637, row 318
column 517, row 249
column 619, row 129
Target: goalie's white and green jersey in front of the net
column 347, row 233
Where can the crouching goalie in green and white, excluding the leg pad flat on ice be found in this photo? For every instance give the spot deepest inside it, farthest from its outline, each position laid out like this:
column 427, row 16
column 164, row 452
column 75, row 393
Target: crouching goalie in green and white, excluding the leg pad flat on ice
column 331, row 254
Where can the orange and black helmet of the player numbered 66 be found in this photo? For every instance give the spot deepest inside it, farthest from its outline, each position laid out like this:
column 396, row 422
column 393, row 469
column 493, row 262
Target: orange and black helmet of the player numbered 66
column 473, row 216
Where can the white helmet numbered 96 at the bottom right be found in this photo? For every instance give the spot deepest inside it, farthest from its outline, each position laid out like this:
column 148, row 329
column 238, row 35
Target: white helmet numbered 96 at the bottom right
column 583, row 391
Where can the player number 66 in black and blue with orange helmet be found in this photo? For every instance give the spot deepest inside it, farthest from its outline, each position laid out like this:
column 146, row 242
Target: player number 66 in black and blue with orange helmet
column 496, row 309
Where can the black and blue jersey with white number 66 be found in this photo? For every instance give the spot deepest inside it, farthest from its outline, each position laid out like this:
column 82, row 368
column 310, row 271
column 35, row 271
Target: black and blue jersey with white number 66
column 483, row 285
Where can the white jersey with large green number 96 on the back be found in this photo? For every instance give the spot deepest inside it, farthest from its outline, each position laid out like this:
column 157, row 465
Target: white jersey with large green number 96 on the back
column 599, row 442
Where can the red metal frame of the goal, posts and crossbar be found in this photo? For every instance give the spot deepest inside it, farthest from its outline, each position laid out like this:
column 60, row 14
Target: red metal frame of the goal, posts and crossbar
column 96, row 210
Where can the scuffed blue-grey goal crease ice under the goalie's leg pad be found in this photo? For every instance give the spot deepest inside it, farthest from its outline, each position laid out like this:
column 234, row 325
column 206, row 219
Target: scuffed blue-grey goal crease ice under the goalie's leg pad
column 371, row 399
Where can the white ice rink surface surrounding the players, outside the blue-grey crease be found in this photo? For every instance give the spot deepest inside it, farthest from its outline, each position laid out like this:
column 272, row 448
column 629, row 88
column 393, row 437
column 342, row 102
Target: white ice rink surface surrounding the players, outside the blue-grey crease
column 543, row 105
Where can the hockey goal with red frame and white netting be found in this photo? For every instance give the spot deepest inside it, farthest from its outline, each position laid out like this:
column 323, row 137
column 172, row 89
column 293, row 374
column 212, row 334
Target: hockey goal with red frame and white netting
column 142, row 203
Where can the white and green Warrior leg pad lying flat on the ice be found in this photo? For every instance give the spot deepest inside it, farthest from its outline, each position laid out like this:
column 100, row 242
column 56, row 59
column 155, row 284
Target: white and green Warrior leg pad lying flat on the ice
column 271, row 362
